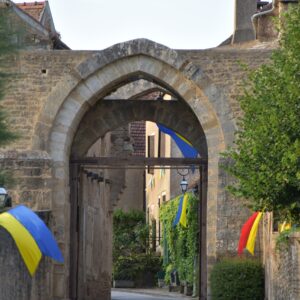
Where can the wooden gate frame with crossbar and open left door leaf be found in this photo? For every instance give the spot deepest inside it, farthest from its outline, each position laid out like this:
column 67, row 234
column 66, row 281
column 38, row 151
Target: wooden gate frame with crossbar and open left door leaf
column 90, row 276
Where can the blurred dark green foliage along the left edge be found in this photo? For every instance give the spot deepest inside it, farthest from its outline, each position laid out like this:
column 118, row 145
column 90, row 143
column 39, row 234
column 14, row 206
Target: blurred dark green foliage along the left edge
column 7, row 48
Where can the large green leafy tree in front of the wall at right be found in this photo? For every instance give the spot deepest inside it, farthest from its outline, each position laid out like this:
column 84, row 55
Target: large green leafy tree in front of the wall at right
column 266, row 159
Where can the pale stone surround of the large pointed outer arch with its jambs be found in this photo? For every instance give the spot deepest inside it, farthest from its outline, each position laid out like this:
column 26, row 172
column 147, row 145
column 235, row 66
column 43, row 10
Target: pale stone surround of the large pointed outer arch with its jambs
column 96, row 77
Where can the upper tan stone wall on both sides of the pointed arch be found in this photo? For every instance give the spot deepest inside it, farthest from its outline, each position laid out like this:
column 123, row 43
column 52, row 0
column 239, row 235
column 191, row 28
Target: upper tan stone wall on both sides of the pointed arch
column 39, row 72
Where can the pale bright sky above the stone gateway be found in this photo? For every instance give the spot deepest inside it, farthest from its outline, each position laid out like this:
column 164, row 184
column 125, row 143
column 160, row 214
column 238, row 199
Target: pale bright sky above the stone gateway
column 178, row 24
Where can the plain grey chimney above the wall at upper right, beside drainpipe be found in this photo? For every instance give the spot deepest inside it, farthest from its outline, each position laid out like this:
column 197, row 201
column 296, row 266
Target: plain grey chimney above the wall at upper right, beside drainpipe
column 243, row 31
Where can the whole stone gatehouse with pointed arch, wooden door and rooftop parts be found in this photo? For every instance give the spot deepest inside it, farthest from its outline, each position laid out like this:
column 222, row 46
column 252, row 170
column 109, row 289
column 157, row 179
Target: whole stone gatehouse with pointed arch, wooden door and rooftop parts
column 59, row 104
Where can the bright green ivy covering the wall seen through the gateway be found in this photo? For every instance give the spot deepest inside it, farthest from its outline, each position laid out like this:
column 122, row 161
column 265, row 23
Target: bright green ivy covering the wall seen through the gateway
column 181, row 242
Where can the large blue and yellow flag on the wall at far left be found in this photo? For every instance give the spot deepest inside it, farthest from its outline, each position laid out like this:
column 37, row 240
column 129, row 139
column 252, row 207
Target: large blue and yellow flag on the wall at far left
column 31, row 235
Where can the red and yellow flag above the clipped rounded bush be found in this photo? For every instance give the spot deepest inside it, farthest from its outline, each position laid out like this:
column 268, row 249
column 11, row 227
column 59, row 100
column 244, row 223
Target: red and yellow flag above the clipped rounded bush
column 248, row 233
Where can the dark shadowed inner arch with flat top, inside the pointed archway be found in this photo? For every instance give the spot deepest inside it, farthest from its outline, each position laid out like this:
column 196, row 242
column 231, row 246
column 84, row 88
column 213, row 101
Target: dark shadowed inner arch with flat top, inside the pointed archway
column 108, row 115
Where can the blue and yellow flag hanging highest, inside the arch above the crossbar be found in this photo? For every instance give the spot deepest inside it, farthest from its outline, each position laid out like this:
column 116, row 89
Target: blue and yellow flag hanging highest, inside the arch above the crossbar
column 186, row 148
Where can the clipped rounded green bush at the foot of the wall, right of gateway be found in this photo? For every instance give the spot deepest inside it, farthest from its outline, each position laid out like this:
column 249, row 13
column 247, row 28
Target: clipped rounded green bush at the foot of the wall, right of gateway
column 237, row 279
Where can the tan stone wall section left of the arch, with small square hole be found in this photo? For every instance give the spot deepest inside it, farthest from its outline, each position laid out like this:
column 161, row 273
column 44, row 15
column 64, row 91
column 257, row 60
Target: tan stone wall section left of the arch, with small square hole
column 35, row 74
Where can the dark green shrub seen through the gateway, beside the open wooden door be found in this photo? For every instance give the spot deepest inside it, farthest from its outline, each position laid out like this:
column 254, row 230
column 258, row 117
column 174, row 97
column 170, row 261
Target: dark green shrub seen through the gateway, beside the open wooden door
column 130, row 260
